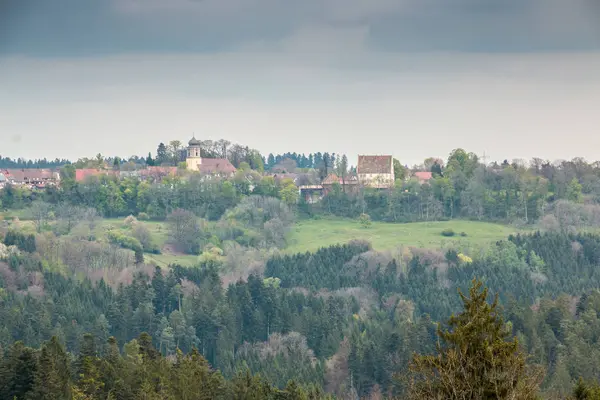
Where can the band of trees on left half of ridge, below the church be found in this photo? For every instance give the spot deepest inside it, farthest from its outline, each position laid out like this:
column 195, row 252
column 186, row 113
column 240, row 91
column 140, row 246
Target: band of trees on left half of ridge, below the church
column 112, row 197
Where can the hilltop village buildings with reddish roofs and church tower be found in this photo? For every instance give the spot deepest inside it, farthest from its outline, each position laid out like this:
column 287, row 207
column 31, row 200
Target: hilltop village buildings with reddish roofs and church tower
column 374, row 171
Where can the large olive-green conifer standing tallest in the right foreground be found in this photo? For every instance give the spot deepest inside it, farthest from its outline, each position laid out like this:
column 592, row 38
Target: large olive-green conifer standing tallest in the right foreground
column 477, row 359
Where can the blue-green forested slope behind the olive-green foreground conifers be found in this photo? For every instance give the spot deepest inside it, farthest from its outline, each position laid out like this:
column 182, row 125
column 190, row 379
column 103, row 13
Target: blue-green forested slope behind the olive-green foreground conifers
column 350, row 331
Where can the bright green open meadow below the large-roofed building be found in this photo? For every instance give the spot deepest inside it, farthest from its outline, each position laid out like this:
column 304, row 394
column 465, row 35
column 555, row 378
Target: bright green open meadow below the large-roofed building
column 309, row 235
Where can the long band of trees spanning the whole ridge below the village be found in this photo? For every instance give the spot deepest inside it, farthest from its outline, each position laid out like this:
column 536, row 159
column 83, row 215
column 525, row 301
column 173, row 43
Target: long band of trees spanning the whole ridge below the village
column 462, row 188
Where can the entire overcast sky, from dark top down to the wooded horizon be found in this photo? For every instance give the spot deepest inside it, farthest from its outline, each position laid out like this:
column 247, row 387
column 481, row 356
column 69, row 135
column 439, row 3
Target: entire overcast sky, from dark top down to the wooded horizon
column 415, row 78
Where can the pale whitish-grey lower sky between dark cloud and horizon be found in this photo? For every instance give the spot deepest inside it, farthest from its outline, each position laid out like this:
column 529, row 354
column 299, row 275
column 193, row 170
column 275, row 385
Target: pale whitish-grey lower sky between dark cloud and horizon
column 414, row 105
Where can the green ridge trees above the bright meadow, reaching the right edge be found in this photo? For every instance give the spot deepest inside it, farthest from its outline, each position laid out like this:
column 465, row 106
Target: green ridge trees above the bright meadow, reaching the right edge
column 465, row 188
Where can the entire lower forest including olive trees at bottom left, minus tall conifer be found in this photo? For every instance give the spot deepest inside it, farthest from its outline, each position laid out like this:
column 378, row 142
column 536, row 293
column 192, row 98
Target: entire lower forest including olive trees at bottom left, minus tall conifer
column 354, row 331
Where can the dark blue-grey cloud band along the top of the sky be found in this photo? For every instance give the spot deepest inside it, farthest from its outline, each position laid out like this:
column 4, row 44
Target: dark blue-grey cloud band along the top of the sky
column 68, row 27
